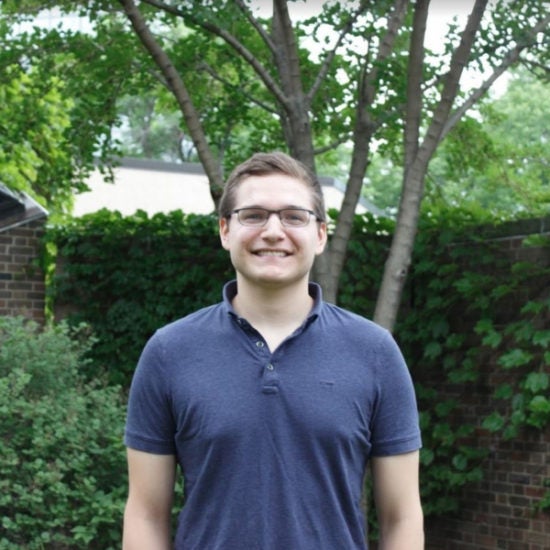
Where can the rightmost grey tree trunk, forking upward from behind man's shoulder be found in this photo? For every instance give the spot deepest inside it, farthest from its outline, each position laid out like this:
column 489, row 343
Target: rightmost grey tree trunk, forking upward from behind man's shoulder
column 419, row 150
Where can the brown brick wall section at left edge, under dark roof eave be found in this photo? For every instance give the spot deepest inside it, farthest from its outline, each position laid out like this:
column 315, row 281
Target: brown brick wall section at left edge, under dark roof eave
column 22, row 286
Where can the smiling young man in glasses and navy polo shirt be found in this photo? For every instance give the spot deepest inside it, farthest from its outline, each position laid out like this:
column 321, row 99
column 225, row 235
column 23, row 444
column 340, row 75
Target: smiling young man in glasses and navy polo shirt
column 272, row 402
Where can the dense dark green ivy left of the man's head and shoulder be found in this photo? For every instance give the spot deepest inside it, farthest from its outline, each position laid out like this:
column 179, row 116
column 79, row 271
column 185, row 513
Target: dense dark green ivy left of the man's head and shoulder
column 127, row 276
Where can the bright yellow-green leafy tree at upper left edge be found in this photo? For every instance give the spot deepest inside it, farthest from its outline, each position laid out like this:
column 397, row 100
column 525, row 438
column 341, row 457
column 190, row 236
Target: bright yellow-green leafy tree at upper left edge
column 58, row 103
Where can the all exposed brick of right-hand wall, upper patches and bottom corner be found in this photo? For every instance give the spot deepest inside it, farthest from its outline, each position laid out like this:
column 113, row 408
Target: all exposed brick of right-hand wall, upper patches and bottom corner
column 500, row 511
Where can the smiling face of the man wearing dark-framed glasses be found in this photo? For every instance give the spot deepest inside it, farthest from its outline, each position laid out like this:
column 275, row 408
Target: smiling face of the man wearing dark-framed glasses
column 273, row 255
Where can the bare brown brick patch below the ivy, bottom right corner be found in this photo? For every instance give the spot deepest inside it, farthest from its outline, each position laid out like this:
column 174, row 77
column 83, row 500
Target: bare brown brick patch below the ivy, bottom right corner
column 499, row 512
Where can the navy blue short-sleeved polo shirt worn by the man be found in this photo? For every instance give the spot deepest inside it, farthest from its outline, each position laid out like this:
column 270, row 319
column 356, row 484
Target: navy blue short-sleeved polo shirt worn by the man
column 272, row 445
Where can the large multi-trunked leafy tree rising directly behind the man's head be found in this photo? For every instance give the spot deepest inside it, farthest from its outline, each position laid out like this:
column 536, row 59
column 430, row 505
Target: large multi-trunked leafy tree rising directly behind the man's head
column 372, row 80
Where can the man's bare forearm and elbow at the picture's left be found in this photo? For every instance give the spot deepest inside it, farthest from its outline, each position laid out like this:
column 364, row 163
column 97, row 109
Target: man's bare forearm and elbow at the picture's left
column 147, row 516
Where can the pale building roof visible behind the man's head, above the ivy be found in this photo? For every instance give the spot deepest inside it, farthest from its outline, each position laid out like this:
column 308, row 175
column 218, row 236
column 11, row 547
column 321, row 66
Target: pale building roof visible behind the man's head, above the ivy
column 157, row 186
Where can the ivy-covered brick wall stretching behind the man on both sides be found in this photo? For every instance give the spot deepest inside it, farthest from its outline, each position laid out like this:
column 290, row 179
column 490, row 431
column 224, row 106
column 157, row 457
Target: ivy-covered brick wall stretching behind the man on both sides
column 474, row 327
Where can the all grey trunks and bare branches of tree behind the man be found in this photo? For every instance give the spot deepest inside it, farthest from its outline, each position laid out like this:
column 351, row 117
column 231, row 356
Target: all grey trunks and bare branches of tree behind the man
column 377, row 76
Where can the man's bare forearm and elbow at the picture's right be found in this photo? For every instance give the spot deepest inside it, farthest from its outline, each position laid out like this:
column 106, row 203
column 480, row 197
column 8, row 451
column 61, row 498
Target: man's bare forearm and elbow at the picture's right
column 397, row 498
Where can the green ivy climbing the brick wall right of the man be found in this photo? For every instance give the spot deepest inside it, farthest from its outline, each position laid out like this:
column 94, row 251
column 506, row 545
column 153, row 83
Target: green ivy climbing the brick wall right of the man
column 459, row 313
